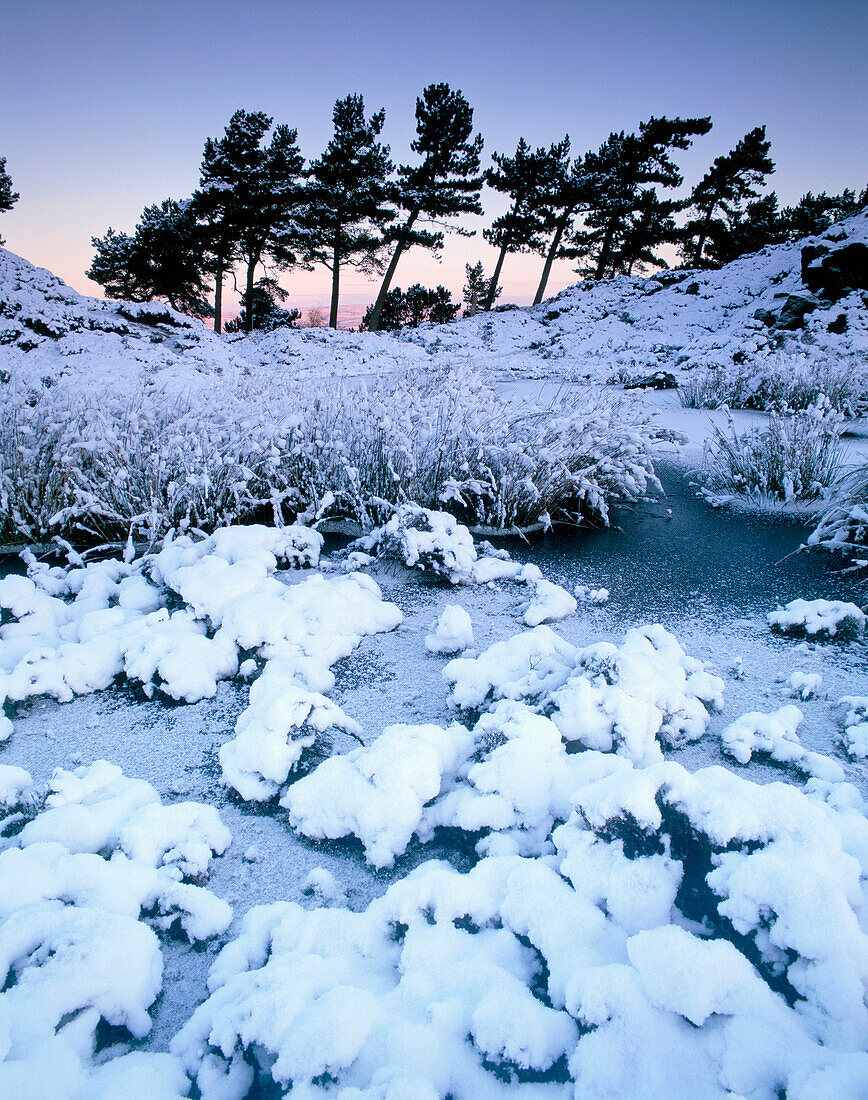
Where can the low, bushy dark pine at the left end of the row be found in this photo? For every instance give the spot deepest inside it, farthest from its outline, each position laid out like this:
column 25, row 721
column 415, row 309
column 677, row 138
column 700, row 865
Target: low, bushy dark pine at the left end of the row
column 162, row 260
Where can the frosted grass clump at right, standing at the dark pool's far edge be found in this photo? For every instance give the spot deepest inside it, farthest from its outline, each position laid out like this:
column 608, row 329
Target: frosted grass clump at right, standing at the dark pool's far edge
column 796, row 457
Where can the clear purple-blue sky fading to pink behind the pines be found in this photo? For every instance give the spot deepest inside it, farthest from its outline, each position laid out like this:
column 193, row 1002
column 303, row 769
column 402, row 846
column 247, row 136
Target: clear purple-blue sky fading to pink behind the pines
column 105, row 105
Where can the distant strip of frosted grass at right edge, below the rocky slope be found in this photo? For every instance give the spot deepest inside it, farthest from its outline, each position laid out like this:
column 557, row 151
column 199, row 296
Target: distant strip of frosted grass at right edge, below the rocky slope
column 777, row 384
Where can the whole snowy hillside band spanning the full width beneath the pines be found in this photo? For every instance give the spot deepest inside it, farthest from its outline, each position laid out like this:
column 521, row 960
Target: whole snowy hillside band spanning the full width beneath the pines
column 625, row 327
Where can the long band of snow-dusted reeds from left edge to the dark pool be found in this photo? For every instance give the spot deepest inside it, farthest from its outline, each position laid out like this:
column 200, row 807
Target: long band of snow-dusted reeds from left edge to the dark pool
column 81, row 460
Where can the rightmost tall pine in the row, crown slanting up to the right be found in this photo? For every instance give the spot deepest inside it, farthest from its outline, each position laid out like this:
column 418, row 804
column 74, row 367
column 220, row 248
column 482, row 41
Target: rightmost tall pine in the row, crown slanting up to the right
column 732, row 182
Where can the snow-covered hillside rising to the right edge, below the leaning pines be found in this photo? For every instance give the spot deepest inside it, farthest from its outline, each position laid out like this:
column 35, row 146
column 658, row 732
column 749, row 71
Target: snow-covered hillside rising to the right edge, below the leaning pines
column 672, row 322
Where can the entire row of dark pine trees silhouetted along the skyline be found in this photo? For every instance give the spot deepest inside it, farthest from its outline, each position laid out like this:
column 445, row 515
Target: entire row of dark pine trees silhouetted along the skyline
column 260, row 210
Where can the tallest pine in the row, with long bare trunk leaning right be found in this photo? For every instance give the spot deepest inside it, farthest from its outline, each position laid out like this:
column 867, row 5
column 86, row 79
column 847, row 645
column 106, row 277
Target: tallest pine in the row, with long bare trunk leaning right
column 447, row 183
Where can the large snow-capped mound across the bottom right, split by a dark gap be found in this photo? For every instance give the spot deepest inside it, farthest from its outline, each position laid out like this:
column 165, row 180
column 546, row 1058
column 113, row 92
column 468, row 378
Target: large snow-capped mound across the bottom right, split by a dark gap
column 669, row 943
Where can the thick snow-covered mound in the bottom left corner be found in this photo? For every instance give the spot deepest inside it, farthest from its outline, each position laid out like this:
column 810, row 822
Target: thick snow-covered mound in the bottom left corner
column 83, row 887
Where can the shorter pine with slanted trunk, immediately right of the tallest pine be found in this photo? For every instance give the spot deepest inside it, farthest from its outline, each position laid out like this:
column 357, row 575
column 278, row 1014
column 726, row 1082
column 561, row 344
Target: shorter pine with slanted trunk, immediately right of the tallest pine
column 530, row 178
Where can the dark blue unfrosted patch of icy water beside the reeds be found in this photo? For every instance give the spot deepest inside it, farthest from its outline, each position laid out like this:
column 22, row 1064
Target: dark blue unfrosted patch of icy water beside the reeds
column 679, row 558
